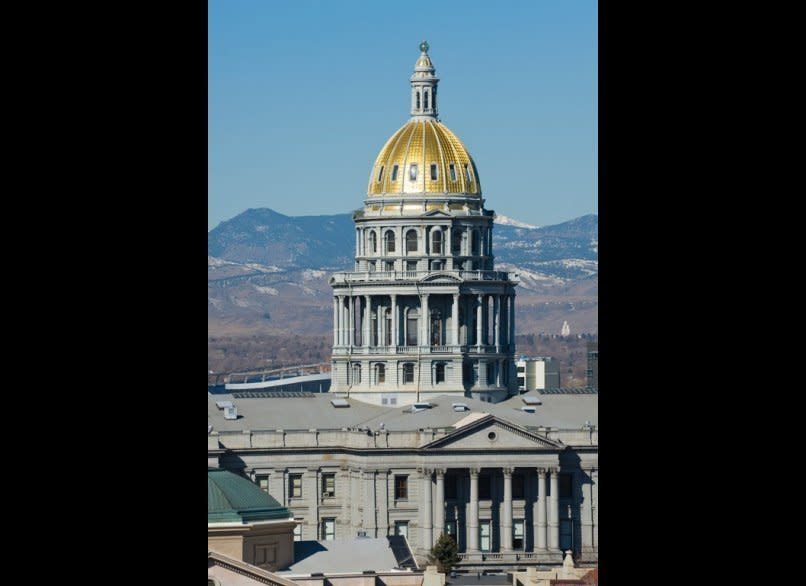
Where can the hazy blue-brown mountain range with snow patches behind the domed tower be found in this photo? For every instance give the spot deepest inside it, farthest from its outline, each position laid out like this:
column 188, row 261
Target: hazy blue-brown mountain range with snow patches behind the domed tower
column 269, row 272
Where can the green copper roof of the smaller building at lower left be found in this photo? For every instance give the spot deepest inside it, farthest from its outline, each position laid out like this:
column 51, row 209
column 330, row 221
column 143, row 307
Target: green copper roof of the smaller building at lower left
column 232, row 498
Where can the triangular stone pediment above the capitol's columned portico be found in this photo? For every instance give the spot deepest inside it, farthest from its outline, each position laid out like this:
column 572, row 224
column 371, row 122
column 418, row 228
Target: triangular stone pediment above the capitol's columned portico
column 491, row 432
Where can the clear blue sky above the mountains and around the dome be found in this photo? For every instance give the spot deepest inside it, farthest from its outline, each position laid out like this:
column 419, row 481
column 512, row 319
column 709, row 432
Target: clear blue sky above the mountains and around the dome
column 303, row 94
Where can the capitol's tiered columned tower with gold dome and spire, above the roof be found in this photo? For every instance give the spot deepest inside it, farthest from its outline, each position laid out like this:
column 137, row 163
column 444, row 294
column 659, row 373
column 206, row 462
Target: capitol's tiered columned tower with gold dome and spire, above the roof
column 424, row 313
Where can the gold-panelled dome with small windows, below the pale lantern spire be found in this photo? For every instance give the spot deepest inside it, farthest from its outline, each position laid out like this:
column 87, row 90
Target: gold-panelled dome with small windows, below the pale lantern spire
column 424, row 143
